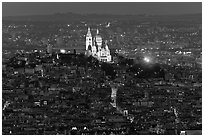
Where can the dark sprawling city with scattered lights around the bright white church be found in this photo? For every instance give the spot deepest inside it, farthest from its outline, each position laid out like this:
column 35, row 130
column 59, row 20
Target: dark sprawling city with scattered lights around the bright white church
column 151, row 86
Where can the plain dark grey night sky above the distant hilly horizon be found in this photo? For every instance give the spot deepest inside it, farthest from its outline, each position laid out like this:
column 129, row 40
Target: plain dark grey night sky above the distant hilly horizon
column 38, row 8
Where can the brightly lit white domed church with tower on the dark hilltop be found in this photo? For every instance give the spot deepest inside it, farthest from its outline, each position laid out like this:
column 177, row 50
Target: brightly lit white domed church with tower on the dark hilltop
column 96, row 48
